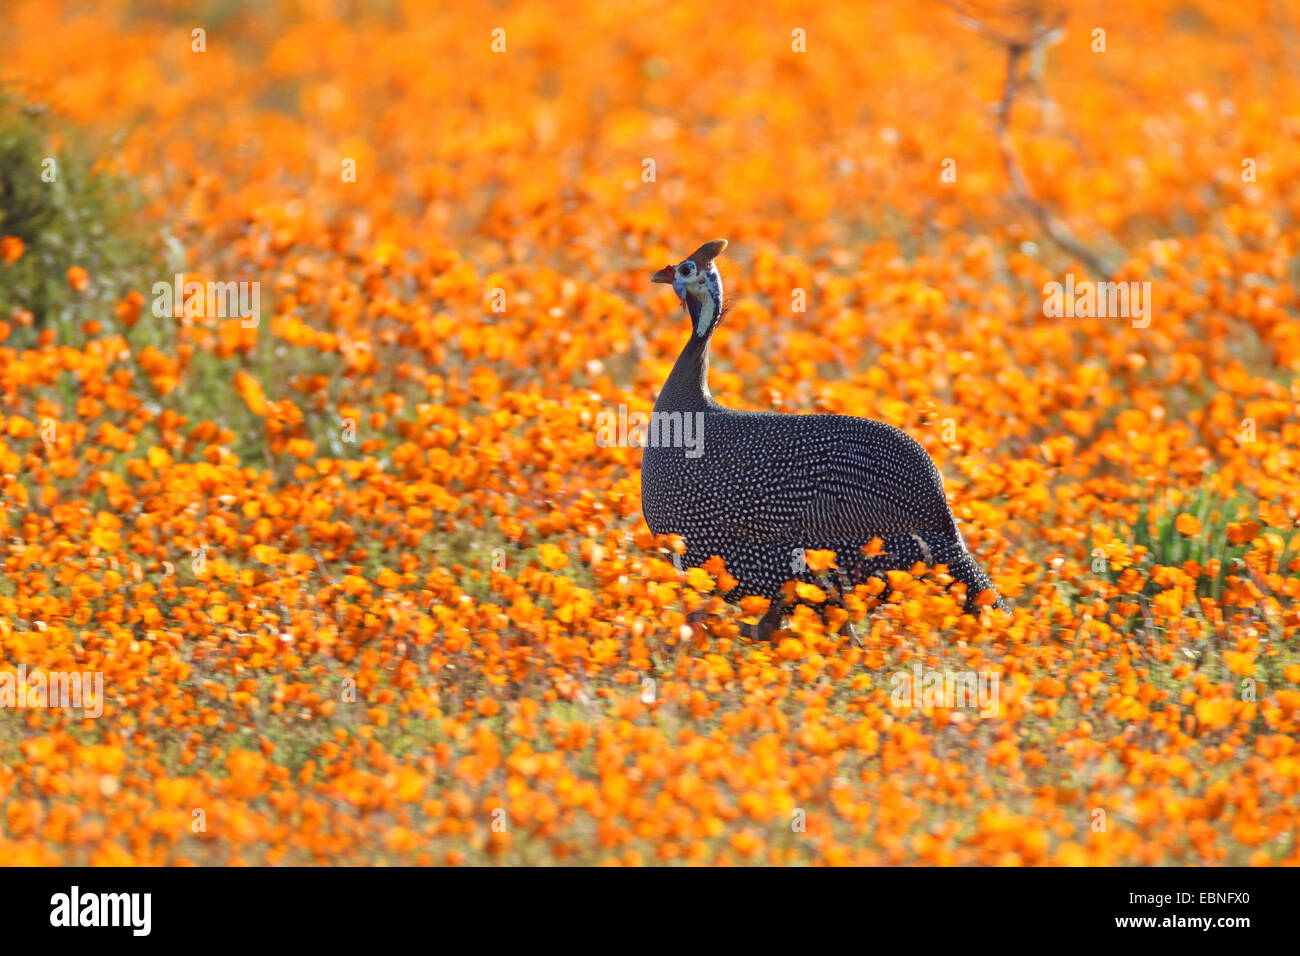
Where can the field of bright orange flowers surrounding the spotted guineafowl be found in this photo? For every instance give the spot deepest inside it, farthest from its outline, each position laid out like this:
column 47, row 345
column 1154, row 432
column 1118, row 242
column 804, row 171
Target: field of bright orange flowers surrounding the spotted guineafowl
column 358, row 576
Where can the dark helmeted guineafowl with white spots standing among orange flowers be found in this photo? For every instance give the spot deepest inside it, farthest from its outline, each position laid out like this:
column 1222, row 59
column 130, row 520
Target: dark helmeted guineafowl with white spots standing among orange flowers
column 760, row 488
